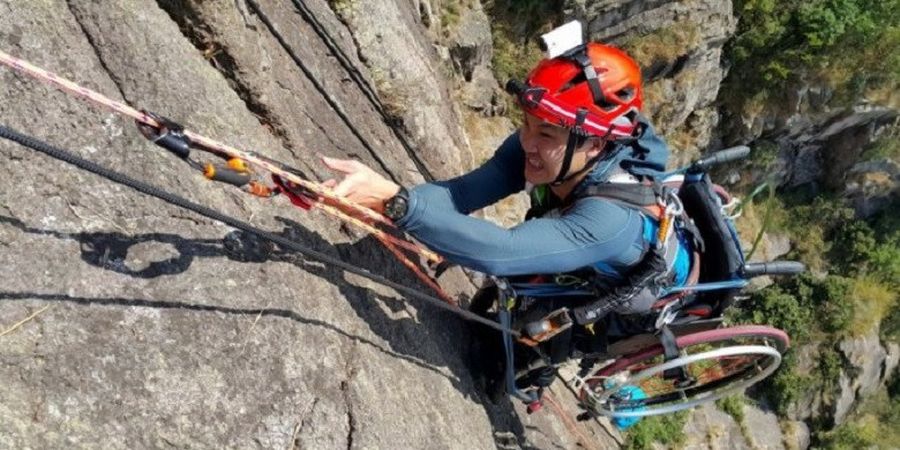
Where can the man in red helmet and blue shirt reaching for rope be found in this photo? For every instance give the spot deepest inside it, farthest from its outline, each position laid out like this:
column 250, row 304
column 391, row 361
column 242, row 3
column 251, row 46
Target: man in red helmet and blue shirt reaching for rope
column 581, row 129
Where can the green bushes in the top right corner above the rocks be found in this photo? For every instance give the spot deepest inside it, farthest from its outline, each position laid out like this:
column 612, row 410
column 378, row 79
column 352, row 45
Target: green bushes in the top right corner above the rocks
column 852, row 46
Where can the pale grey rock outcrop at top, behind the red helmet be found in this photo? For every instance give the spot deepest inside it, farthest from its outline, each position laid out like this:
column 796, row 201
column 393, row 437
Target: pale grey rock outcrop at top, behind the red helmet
column 683, row 83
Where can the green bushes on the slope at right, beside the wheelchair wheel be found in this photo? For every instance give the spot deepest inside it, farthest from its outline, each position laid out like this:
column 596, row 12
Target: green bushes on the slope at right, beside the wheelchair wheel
column 852, row 289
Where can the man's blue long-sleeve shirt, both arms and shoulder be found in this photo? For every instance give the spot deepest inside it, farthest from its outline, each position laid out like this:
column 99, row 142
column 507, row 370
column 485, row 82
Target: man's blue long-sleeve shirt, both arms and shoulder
column 593, row 230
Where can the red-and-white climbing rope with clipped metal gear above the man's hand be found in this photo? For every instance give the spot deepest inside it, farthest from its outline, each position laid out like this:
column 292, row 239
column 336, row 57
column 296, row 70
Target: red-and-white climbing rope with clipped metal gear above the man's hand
column 239, row 168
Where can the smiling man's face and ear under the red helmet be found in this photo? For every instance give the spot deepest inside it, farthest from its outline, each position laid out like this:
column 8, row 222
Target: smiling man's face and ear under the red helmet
column 545, row 148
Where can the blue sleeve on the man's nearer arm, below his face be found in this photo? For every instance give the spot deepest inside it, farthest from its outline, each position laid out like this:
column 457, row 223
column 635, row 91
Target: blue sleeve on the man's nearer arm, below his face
column 592, row 231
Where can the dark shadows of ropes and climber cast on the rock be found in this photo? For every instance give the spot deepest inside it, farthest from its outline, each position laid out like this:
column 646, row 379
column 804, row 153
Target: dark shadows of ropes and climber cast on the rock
column 109, row 250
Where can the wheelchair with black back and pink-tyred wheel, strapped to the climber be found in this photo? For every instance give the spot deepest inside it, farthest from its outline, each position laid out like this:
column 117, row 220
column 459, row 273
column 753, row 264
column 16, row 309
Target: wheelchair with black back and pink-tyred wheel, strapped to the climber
column 674, row 356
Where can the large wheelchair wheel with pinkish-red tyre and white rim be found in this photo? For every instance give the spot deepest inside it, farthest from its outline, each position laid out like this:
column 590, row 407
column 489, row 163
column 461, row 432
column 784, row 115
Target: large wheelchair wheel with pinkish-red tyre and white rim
column 714, row 363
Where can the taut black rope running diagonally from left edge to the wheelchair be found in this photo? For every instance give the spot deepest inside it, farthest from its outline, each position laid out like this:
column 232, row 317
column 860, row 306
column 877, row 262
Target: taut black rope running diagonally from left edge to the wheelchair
column 182, row 202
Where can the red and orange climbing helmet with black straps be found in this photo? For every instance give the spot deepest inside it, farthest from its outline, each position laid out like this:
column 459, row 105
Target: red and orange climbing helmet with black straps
column 592, row 89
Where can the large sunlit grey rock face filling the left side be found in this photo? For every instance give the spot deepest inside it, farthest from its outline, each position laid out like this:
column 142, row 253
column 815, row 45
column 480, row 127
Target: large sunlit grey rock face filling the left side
column 165, row 329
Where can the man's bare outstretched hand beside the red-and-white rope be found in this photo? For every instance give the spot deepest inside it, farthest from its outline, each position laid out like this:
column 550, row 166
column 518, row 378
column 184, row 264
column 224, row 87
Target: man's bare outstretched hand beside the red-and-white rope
column 361, row 184
